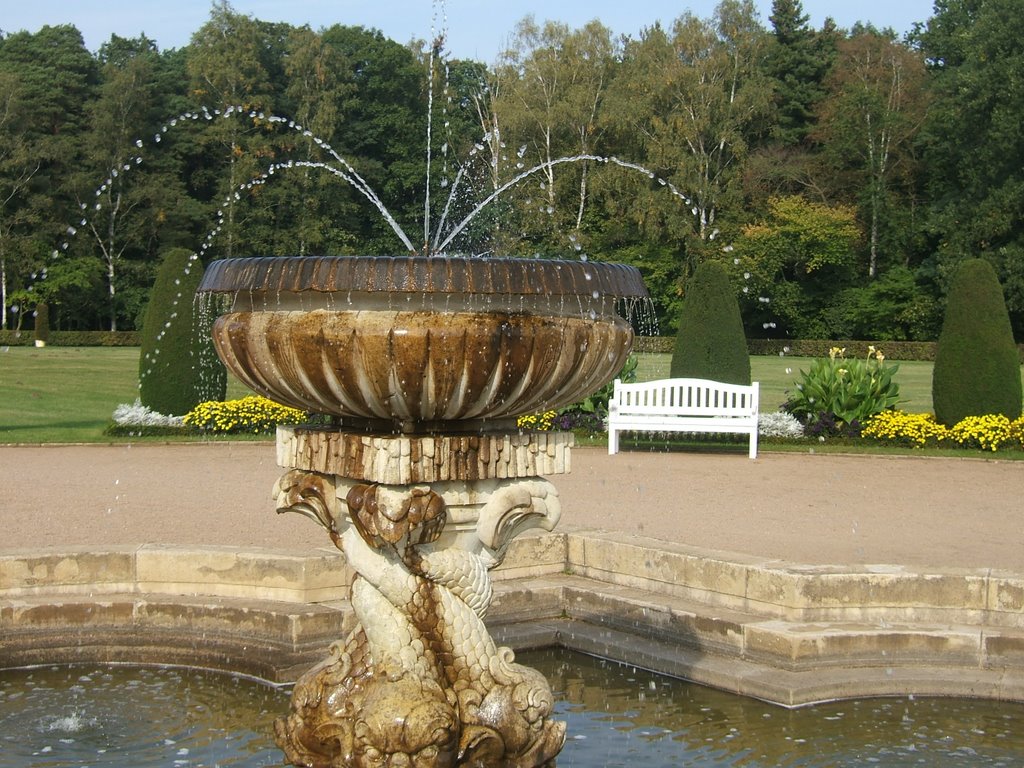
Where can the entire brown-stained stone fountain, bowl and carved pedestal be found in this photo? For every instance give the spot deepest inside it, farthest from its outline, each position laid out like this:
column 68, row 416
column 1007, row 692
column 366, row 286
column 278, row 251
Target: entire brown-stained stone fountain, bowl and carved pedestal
column 422, row 479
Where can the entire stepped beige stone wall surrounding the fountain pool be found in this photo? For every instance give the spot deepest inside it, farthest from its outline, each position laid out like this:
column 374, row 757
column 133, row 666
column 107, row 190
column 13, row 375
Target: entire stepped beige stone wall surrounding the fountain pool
column 782, row 632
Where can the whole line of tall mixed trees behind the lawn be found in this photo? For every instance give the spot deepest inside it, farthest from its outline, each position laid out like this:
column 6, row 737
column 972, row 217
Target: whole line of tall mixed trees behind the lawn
column 839, row 176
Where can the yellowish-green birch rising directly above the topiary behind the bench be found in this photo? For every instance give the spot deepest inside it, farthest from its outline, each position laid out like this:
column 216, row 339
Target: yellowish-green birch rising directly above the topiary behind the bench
column 694, row 99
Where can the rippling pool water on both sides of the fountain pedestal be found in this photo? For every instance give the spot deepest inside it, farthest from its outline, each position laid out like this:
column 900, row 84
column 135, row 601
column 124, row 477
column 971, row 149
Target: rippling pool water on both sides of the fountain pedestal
column 57, row 717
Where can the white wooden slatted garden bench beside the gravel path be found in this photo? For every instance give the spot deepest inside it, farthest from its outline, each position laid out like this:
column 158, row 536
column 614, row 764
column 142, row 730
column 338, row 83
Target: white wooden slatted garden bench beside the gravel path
column 684, row 406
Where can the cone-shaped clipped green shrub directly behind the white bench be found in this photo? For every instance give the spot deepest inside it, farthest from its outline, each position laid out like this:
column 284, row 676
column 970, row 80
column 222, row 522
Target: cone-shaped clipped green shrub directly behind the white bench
column 711, row 344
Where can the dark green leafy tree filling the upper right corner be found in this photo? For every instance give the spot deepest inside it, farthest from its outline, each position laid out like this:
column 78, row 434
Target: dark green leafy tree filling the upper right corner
column 975, row 140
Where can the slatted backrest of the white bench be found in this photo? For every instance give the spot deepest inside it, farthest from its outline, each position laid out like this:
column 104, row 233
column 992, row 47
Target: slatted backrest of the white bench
column 686, row 397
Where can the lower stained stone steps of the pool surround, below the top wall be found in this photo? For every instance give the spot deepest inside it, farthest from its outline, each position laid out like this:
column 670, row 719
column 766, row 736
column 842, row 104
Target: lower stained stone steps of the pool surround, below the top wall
column 782, row 662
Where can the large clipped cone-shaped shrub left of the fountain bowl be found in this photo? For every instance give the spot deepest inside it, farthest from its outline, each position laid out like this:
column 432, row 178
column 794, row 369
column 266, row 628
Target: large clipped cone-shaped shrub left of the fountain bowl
column 179, row 368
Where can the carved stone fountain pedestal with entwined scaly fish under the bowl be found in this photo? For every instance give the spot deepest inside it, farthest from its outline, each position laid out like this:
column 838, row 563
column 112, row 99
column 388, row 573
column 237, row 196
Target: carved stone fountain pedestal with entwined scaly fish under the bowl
column 422, row 520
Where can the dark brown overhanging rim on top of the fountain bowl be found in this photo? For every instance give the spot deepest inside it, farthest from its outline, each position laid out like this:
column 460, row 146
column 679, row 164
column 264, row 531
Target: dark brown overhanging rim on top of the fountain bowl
column 423, row 275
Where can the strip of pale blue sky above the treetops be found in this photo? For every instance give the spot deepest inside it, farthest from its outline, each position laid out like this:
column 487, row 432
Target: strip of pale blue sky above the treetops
column 477, row 29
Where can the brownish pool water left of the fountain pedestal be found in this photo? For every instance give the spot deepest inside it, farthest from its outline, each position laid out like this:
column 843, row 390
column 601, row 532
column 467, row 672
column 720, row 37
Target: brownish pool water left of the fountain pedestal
column 137, row 716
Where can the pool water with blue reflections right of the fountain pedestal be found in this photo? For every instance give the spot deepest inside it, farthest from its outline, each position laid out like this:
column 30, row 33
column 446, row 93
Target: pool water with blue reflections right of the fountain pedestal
column 619, row 715
